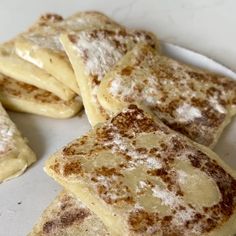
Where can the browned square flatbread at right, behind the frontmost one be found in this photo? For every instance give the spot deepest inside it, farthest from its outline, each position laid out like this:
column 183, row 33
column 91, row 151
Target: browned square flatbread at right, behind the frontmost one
column 196, row 103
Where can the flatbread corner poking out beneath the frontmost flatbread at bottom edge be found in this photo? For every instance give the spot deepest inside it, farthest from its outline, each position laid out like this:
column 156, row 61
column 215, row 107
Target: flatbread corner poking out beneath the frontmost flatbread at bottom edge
column 68, row 216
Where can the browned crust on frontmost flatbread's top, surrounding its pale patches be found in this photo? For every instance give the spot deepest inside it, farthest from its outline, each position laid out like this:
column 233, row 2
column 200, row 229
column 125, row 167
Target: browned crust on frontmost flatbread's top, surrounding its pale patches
column 127, row 125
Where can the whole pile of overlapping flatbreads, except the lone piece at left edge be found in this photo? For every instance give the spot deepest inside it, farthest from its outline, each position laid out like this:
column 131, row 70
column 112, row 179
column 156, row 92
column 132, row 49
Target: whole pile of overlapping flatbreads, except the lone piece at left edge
column 146, row 167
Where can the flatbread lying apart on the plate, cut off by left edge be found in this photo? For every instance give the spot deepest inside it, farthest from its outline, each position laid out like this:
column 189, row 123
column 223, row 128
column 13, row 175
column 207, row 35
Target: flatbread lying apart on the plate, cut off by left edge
column 15, row 155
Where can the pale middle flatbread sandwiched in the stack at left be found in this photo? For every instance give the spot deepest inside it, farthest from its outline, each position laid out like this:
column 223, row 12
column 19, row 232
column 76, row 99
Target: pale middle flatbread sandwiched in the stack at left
column 24, row 71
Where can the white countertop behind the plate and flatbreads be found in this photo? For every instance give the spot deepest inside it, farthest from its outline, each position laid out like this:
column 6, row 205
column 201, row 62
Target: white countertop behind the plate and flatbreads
column 206, row 26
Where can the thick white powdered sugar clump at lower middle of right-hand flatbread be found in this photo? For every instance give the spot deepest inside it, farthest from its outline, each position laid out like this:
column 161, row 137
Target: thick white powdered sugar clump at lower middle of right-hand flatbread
column 187, row 112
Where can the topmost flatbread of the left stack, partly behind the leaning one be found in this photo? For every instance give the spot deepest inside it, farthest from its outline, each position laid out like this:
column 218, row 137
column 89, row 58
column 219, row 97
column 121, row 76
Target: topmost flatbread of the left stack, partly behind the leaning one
column 41, row 45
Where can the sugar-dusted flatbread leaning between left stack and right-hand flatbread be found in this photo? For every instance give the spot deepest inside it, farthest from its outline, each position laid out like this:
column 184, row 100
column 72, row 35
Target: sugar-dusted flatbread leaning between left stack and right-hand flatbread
column 92, row 54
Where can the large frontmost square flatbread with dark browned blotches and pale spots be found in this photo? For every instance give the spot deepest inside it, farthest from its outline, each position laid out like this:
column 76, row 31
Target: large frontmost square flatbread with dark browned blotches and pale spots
column 142, row 178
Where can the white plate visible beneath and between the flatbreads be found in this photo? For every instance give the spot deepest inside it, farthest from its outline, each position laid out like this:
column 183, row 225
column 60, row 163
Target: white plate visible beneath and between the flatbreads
column 23, row 199
